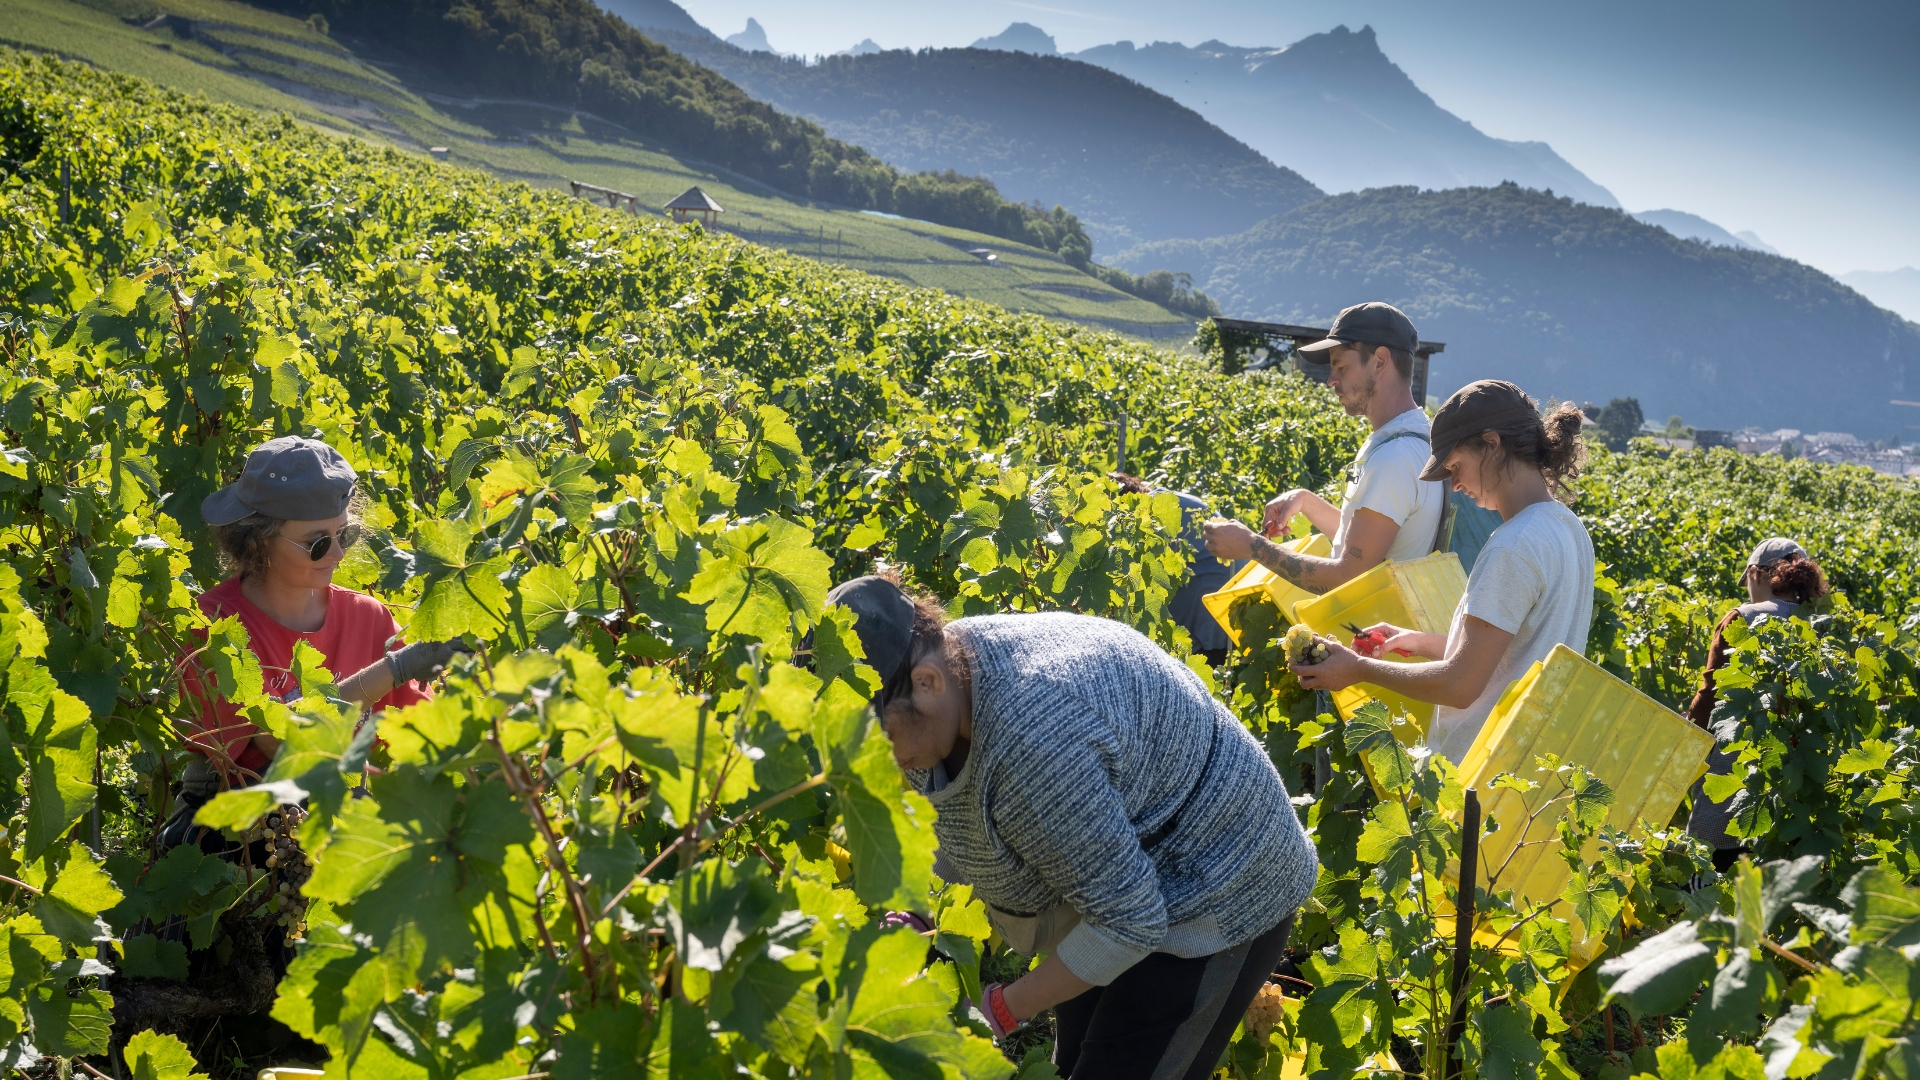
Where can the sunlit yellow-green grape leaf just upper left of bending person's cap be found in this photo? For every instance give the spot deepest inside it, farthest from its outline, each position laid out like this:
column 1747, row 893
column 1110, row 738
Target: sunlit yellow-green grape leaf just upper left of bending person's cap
column 761, row 579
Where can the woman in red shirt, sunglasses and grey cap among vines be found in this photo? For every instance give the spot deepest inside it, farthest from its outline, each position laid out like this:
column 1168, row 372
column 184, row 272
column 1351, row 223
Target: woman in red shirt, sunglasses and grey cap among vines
column 283, row 529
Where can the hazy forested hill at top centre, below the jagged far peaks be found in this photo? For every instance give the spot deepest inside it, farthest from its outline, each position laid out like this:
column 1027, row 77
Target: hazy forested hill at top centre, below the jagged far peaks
column 1130, row 162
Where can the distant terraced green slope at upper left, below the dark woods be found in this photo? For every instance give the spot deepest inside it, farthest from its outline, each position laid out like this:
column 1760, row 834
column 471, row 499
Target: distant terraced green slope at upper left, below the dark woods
column 256, row 59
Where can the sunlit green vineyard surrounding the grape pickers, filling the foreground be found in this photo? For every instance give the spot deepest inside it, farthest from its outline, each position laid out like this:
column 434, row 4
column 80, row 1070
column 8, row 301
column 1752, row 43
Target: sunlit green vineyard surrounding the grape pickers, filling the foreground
column 629, row 837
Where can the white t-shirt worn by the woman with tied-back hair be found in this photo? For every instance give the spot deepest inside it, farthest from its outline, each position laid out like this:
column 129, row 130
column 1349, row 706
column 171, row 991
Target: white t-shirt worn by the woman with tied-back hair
column 1535, row 579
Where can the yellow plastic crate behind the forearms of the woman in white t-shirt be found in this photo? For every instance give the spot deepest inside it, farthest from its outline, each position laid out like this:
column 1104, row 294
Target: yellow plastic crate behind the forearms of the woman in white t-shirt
column 1418, row 595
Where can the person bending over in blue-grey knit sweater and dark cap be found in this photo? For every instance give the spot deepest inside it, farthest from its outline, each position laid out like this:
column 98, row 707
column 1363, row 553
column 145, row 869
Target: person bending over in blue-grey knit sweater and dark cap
column 1109, row 812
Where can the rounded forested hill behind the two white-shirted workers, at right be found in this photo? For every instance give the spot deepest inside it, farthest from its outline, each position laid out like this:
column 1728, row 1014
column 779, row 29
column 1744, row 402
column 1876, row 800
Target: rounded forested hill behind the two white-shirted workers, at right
column 1577, row 303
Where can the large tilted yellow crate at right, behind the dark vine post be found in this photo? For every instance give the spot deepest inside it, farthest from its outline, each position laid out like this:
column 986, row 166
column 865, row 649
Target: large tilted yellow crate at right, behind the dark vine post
column 1572, row 708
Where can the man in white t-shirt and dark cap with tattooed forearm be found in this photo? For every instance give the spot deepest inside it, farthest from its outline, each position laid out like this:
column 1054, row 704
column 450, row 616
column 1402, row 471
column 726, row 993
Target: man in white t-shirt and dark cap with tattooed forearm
column 1389, row 512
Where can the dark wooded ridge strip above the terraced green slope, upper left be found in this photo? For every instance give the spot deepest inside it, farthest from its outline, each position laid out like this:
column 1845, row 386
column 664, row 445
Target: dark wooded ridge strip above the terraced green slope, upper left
column 577, row 55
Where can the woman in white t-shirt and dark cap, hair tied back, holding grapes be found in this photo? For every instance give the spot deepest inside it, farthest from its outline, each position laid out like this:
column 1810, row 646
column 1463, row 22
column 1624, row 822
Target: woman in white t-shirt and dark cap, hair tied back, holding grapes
column 1529, row 591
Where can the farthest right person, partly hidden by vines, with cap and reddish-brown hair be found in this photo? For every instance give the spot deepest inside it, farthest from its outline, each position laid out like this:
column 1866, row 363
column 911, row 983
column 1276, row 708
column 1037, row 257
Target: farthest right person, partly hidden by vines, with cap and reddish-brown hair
column 1781, row 581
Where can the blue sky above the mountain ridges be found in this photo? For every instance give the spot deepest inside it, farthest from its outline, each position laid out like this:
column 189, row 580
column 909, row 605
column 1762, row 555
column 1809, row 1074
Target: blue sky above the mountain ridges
column 1796, row 120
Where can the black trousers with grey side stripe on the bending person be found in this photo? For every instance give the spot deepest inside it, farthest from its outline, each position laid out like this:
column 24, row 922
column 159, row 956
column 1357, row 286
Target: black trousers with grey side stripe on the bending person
column 1164, row 1018
